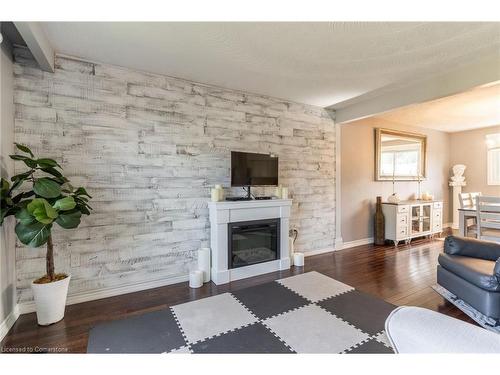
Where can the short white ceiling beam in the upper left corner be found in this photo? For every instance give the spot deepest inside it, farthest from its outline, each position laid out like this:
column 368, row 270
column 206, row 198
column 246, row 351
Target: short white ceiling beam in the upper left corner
column 37, row 43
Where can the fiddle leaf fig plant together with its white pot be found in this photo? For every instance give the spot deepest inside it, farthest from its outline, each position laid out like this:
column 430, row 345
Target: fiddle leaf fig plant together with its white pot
column 39, row 198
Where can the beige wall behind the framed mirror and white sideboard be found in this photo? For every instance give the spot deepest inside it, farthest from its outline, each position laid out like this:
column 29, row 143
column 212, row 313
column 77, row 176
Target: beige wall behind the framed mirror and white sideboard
column 359, row 187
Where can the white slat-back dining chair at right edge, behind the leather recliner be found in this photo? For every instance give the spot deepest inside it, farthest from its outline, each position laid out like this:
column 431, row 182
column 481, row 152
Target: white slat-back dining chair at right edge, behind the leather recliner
column 488, row 218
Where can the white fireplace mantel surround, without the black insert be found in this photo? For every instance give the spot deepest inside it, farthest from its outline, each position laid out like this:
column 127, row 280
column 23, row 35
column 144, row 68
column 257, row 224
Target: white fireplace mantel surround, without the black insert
column 223, row 213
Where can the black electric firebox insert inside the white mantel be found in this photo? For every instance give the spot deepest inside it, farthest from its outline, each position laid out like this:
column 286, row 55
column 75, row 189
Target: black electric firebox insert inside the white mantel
column 252, row 242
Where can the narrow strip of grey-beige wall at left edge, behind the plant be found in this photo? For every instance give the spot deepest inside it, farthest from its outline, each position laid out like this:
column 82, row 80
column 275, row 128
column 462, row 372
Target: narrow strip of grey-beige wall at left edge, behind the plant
column 7, row 240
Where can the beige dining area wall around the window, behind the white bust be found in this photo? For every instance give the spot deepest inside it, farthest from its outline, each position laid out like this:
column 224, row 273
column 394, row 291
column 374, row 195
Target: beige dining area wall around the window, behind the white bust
column 469, row 148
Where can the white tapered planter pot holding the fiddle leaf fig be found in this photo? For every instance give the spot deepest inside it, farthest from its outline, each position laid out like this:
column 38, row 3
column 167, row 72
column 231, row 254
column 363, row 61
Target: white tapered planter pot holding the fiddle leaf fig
column 50, row 300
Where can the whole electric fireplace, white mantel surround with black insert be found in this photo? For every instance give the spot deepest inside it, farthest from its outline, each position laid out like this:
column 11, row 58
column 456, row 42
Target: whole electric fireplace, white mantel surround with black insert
column 248, row 238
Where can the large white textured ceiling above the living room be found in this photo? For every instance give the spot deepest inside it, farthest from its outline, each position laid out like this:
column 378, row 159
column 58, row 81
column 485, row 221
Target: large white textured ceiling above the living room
column 315, row 63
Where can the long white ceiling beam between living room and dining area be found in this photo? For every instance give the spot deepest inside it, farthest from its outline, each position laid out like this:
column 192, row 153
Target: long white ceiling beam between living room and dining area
column 482, row 72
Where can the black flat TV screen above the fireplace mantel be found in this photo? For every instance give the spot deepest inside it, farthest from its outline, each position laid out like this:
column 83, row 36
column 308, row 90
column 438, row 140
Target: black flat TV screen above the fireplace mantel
column 253, row 169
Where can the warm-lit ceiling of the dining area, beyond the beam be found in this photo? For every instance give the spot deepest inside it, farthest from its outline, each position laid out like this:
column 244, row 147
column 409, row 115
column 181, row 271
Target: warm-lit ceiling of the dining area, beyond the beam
column 473, row 109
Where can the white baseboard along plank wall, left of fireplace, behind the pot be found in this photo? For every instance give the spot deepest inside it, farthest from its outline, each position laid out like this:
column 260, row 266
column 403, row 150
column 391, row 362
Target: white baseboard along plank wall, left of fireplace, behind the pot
column 29, row 306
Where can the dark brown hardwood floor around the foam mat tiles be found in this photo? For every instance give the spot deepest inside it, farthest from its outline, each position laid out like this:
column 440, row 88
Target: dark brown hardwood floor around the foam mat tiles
column 402, row 276
